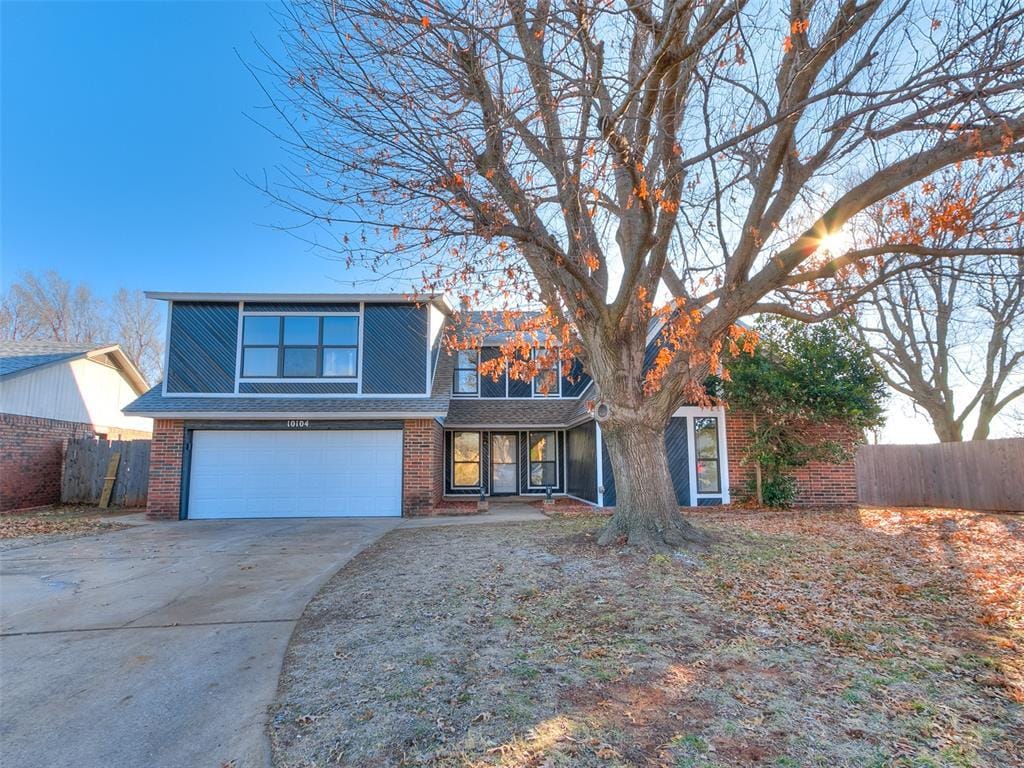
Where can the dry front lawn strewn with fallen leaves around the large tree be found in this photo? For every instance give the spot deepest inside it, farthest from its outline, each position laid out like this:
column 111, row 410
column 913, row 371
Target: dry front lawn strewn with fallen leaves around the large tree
column 833, row 638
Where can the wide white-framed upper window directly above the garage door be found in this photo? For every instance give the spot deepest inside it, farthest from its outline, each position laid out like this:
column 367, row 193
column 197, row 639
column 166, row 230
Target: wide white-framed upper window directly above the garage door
column 304, row 347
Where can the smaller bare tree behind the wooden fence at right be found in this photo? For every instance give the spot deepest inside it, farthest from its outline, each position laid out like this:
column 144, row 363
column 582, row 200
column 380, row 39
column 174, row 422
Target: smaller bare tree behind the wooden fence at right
column 957, row 327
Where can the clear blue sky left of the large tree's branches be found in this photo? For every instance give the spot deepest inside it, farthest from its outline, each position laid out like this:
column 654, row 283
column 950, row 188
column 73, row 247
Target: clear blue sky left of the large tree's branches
column 124, row 136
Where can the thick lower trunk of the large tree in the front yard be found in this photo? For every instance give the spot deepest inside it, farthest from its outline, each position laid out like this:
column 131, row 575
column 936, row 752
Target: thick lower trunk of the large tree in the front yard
column 647, row 511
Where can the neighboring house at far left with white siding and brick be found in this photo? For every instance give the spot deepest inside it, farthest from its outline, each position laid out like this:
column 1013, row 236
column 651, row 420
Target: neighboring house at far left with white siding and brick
column 52, row 393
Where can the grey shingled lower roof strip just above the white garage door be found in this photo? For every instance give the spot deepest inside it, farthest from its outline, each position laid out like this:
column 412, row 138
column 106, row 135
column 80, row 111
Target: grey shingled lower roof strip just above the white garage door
column 233, row 407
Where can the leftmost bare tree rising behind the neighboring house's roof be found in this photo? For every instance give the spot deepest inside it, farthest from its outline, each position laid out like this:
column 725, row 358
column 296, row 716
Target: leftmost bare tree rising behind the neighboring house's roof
column 49, row 307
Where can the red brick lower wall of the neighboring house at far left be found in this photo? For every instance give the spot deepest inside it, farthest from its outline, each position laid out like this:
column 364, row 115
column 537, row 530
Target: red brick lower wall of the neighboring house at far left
column 32, row 456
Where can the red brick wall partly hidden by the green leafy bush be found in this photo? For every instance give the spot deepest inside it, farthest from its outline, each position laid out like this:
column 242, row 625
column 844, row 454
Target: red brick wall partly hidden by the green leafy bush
column 819, row 484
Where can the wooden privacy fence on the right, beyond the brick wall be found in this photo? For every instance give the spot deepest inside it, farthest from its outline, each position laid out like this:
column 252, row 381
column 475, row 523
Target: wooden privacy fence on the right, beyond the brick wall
column 979, row 475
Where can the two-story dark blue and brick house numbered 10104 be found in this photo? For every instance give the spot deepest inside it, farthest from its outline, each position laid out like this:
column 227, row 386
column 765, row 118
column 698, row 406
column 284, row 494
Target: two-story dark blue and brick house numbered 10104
column 338, row 405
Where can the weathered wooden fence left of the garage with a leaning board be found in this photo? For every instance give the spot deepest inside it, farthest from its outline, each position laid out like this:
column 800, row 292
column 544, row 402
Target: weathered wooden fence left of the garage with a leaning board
column 89, row 463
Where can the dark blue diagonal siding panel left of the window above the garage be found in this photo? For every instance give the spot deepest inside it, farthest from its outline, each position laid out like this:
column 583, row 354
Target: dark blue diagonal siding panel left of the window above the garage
column 203, row 348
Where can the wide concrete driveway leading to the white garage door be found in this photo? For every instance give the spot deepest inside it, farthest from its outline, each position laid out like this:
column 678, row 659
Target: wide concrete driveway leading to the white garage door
column 159, row 646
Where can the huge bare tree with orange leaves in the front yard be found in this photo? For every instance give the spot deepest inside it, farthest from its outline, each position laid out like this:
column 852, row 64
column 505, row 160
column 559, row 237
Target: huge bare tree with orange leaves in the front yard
column 587, row 155
